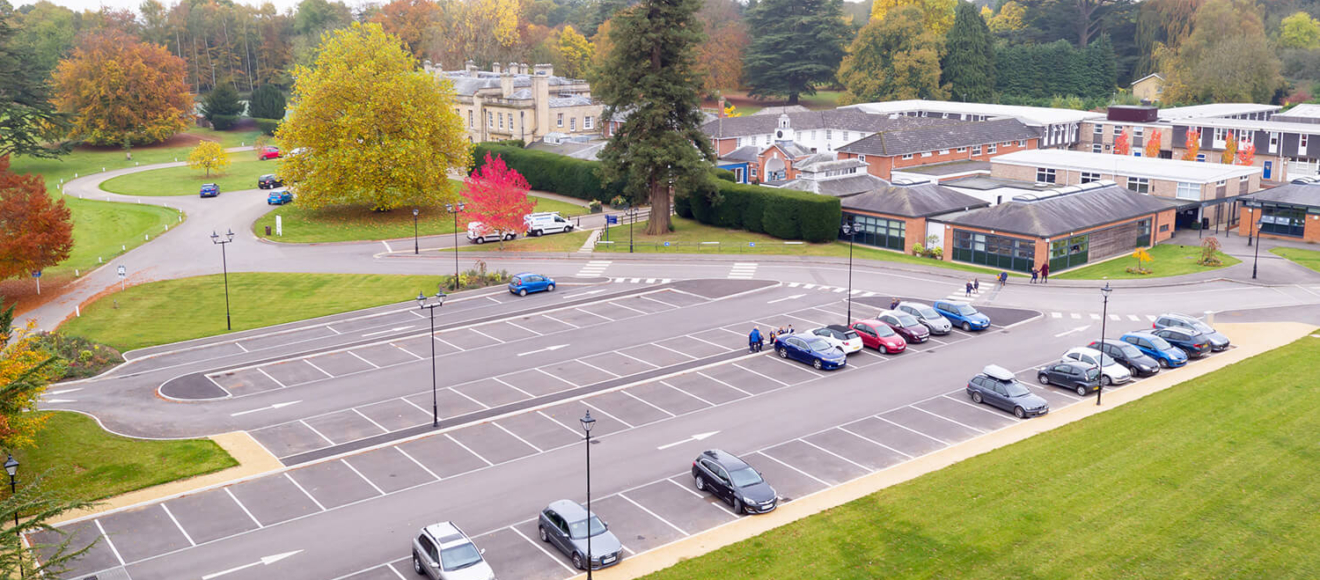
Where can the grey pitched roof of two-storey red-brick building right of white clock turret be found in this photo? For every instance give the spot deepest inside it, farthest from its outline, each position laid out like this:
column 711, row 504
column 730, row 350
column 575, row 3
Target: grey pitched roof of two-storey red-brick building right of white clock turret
column 943, row 137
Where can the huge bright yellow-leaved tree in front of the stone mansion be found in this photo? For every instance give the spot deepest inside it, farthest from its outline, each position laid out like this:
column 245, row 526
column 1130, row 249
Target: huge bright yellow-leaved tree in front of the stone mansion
column 369, row 127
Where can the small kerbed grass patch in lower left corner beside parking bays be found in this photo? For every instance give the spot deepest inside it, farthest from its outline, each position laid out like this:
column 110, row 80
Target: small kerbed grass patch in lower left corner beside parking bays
column 92, row 464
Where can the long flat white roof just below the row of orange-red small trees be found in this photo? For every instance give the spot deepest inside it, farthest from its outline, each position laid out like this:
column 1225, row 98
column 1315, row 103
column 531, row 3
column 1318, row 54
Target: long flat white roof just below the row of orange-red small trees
column 1152, row 168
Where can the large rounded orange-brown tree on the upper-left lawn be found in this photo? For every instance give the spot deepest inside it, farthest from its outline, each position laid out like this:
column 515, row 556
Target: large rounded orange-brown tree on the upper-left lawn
column 121, row 91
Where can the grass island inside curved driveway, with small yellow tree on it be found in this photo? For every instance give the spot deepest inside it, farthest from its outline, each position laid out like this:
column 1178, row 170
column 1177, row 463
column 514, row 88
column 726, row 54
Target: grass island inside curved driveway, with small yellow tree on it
column 241, row 175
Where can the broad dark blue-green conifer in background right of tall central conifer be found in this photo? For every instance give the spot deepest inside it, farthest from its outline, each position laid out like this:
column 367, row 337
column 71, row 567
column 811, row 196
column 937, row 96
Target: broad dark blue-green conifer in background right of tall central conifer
column 798, row 46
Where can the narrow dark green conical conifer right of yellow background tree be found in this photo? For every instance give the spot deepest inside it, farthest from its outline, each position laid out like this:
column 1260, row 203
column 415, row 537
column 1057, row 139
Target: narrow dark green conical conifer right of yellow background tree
column 968, row 67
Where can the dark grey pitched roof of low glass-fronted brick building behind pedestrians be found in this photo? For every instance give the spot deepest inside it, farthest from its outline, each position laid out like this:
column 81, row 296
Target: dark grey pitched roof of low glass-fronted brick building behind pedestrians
column 1061, row 212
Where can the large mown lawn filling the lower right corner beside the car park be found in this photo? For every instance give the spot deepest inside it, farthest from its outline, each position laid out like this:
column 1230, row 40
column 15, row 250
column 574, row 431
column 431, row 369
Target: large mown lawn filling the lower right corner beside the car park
column 1212, row 479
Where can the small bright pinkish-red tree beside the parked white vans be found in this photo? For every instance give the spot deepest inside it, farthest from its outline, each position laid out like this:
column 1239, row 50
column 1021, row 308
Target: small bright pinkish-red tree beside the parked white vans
column 497, row 198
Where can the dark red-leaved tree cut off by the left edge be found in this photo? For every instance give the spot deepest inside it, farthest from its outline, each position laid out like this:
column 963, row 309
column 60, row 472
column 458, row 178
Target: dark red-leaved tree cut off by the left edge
column 36, row 232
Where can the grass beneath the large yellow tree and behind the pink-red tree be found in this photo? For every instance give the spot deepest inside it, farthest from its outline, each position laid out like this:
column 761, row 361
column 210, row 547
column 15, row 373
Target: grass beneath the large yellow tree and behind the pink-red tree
column 353, row 224
